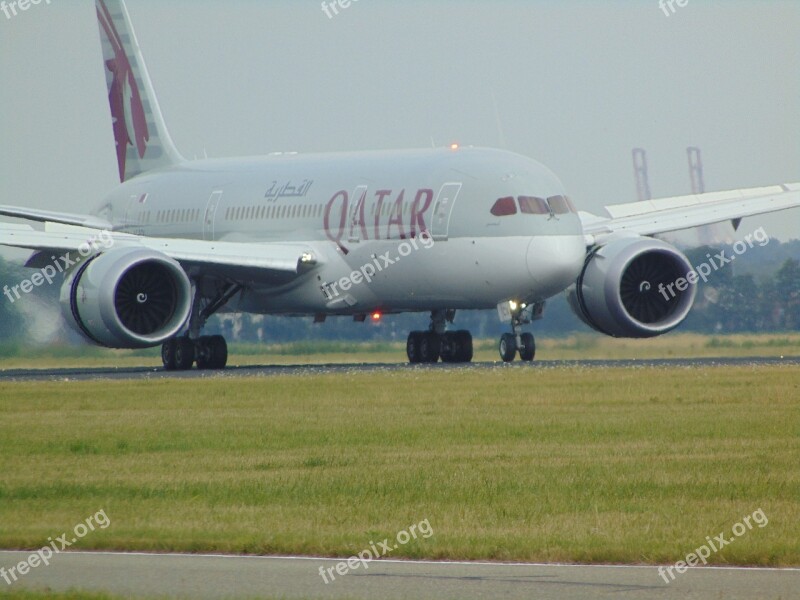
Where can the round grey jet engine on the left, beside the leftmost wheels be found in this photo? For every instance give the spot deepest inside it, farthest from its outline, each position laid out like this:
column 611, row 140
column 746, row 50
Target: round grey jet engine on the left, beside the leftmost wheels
column 127, row 298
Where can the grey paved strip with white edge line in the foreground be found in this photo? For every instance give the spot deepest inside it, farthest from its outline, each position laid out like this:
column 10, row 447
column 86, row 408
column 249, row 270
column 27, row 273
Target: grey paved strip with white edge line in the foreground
column 213, row 576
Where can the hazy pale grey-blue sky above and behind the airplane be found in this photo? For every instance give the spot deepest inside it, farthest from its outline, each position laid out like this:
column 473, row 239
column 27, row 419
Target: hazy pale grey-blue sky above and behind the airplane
column 575, row 85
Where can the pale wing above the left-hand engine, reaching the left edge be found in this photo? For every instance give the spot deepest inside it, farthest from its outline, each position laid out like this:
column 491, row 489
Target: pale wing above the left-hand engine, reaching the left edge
column 271, row 263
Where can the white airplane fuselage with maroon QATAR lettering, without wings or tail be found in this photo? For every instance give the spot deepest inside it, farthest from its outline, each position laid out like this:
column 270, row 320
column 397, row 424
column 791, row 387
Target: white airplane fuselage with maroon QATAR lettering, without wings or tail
column 393, row 231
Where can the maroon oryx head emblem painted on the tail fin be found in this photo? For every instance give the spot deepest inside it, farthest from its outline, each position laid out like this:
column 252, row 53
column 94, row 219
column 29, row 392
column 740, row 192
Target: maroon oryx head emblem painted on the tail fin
column 127, row 109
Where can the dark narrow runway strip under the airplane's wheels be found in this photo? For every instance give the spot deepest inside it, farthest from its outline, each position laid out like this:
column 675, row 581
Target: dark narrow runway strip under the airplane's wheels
column 300, row 369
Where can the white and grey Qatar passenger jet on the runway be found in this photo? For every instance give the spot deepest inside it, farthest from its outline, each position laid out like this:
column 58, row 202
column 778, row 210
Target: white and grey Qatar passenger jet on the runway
column 433, row 231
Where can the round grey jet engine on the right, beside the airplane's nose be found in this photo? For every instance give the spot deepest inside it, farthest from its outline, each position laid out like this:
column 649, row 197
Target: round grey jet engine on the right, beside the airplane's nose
column 628, row 288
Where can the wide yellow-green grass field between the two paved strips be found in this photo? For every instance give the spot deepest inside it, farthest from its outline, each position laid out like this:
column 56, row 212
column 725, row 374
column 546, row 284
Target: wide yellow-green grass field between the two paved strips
column 598, row 465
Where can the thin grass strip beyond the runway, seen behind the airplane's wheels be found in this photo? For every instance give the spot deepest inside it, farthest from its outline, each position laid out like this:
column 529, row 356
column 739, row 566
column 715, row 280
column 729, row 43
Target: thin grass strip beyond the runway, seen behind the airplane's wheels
column 584, row 346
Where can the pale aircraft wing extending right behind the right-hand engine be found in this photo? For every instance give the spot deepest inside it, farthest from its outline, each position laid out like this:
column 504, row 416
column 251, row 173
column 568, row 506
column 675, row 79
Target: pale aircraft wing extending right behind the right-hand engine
column 665, row 215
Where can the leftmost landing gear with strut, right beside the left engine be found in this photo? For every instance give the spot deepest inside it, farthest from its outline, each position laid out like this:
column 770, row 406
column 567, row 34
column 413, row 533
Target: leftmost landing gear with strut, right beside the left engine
column 209, row 352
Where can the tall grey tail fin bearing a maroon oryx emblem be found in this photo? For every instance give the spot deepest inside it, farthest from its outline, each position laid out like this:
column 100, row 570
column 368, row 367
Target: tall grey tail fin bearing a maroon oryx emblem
column 143, row 142
